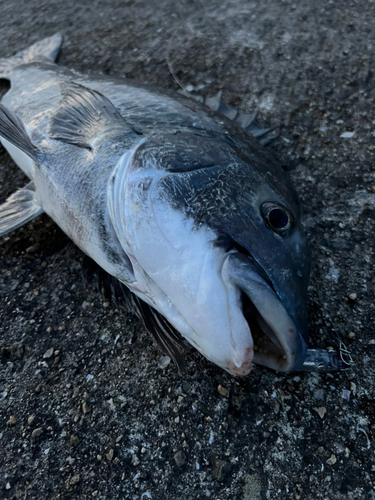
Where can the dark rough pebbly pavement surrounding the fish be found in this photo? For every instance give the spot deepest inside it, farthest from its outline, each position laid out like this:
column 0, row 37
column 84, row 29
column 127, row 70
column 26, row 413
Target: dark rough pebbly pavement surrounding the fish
column 88, row 406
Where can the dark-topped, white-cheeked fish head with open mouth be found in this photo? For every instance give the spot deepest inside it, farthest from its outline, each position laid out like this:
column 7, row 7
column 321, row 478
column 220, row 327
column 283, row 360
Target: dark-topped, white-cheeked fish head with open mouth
column 217, row 247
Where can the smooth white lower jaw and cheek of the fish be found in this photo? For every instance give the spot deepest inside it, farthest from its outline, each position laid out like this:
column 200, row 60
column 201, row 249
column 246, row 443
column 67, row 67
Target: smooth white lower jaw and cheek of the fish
column 185, row 283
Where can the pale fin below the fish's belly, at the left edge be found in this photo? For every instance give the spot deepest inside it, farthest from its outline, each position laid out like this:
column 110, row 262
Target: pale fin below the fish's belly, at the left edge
column 19, row 208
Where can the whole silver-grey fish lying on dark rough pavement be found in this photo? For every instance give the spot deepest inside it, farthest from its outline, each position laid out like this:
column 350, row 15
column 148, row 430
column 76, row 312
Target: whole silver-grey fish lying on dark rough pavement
column 192, row 218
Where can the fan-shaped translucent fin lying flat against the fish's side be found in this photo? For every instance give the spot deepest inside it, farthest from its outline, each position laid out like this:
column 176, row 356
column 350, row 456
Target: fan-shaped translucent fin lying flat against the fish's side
column 85, row 116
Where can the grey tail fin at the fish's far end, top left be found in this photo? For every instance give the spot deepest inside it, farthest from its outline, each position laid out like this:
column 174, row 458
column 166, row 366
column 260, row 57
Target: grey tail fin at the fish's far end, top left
column 47, row 48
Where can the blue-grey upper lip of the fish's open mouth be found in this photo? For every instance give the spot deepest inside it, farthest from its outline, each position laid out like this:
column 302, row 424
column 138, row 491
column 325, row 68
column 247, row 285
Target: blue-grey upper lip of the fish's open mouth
column 286, row 351
